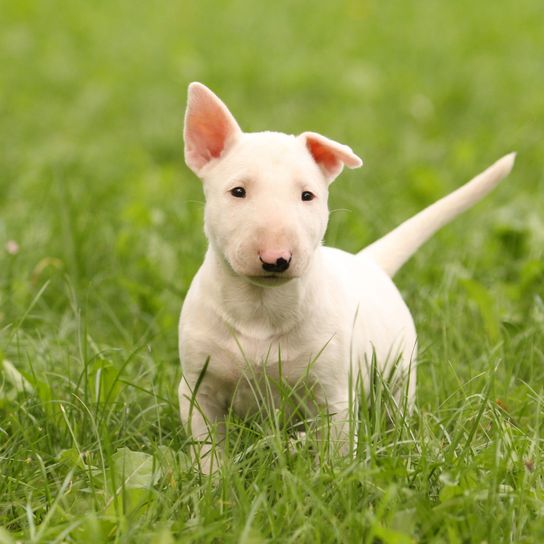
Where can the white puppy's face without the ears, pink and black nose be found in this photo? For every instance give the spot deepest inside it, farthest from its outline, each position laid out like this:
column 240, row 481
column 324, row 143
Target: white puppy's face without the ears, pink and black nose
column 266, row 200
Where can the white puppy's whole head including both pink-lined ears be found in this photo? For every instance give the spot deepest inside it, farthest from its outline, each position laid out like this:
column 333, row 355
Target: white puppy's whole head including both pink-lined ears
column 266, row 192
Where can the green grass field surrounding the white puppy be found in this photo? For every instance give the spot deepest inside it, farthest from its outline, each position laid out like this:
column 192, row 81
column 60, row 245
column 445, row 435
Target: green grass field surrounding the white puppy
column 100, row 235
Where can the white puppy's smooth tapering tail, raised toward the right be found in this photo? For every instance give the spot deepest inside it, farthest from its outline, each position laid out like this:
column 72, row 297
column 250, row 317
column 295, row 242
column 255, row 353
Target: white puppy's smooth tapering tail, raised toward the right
column 395, row 248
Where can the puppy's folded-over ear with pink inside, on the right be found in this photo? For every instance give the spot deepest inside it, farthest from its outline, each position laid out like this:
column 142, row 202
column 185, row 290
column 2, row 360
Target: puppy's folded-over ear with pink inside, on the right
column 329, row 155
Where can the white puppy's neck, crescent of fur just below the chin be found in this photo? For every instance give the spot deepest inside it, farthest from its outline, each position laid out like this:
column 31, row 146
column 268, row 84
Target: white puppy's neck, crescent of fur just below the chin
column 252, row 310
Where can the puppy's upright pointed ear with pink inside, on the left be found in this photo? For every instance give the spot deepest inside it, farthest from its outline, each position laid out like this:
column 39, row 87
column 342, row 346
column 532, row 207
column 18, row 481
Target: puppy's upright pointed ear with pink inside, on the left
column 210, row 128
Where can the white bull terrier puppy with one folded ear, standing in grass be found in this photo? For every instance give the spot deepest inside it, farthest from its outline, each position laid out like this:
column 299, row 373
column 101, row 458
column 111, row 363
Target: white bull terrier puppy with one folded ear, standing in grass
column 269, row 299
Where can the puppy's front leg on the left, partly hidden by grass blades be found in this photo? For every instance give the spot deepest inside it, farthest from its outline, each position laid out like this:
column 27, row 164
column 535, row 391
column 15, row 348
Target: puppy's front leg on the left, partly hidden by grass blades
column 204, row 420
